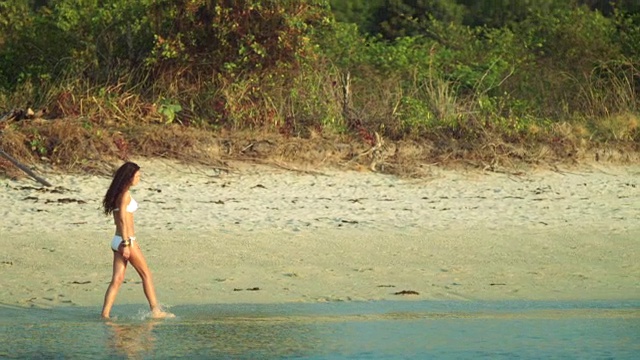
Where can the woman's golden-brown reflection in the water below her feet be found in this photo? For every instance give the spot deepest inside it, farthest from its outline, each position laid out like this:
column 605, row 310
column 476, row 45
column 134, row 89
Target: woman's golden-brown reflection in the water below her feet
column 133, row 340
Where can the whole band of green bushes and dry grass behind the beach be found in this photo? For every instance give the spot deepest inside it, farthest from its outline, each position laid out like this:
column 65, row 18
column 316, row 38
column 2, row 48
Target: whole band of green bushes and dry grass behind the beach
column 481, row 80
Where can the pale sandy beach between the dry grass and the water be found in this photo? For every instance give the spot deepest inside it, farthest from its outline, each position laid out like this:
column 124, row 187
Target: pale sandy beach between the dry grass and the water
column 259, row 234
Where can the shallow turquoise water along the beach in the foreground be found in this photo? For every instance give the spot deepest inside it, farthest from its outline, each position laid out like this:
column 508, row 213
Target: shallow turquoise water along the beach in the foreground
column 353, row 330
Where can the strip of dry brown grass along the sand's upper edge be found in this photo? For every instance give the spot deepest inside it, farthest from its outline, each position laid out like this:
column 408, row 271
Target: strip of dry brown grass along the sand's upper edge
column 72, row 145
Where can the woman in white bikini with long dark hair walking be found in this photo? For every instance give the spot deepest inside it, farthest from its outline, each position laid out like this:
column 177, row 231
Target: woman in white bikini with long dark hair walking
column 125, row 248
